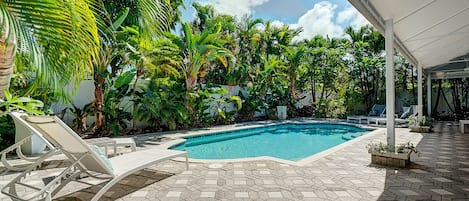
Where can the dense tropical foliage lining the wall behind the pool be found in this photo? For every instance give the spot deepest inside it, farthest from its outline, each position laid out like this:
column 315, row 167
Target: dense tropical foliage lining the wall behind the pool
column 154, row 70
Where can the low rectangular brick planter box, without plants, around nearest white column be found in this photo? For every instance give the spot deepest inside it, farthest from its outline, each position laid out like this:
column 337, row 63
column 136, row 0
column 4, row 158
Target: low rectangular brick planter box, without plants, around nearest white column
column 390, row 159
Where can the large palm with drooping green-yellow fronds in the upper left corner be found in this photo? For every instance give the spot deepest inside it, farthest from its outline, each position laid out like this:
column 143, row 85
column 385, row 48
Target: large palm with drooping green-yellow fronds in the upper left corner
column 58, row 37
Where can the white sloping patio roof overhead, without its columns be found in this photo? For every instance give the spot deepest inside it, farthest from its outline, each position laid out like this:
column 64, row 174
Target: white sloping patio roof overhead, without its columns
column 431, row 33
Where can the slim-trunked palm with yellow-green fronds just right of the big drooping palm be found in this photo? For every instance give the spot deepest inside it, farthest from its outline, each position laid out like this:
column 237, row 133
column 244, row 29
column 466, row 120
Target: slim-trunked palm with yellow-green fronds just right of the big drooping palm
column 151, row 19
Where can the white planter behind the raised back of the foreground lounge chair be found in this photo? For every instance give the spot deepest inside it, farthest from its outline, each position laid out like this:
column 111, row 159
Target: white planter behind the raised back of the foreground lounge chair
column 35, row 146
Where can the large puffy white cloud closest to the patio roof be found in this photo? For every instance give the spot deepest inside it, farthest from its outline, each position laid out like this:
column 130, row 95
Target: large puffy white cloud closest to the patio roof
column 319, row 20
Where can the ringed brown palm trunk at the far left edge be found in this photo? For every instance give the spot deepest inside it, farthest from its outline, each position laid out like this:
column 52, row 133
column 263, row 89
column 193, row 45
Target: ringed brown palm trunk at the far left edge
column 7, row 60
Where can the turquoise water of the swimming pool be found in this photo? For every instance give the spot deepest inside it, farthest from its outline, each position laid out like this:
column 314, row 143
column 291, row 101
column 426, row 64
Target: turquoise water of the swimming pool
column 286, row 141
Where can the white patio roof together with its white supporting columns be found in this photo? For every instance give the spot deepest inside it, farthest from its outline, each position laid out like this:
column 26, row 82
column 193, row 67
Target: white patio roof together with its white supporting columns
column 432, row 34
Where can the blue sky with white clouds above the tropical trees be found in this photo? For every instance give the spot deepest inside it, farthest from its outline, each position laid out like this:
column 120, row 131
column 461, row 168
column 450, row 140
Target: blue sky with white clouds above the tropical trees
column 328, row 18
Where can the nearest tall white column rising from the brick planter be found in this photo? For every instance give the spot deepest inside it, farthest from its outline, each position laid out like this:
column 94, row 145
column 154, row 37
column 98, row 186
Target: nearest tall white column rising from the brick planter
column 390, row 89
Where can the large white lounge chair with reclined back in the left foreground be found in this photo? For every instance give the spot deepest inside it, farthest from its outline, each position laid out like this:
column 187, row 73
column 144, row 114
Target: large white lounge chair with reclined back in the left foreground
column 85, row 159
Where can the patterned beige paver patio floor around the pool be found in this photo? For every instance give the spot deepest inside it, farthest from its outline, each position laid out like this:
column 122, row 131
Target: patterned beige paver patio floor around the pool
column 440, row 173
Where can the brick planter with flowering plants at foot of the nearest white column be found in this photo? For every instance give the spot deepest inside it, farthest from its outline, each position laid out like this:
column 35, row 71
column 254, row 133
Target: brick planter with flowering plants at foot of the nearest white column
column 398, row 156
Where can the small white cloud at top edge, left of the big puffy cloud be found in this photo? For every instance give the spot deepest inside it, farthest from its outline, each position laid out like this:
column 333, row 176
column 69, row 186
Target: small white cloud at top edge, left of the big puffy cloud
column 236, row 8
